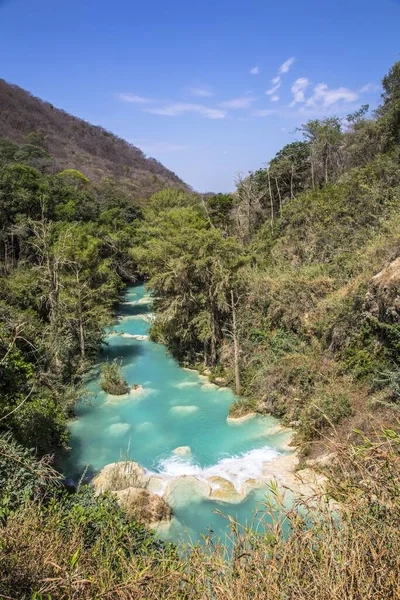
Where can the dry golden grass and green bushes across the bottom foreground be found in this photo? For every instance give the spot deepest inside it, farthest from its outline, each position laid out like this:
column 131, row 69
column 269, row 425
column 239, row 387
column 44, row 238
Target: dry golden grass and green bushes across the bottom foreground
column 76, row 547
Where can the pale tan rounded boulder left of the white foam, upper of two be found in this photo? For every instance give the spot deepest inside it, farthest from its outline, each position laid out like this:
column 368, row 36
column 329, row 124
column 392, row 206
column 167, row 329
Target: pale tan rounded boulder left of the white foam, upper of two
column 120, row 476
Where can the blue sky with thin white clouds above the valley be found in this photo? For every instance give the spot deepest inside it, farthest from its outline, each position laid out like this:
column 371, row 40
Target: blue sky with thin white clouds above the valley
column 209, row 88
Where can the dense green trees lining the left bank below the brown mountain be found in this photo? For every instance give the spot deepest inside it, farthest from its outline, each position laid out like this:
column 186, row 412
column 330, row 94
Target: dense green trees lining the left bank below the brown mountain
column 63, row 248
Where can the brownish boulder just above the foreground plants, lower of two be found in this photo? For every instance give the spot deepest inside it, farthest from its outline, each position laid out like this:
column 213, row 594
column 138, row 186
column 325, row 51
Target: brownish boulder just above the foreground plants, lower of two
column 144, row 506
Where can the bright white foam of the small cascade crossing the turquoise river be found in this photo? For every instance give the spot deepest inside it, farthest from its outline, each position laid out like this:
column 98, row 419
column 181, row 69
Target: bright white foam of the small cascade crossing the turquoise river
column 236, row 469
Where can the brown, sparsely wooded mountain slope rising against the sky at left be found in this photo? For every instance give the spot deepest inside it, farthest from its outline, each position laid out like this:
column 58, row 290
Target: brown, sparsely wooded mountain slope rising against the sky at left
column 74, row 143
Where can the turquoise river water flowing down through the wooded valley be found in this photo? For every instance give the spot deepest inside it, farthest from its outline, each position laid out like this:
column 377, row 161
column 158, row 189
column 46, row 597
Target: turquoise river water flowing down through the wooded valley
column 176, row 407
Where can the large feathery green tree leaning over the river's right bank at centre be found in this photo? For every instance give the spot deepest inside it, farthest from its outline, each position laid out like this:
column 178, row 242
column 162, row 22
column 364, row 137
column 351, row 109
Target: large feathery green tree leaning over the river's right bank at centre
column 193, row 269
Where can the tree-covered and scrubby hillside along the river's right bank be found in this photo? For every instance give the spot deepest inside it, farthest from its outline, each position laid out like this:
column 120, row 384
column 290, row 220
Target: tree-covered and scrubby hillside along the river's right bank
column 276, row 288
